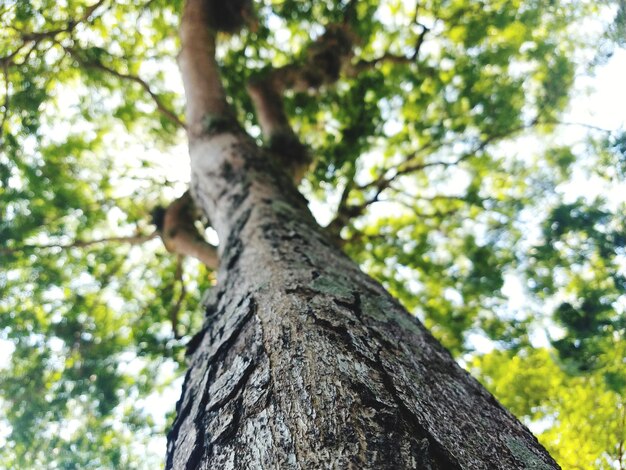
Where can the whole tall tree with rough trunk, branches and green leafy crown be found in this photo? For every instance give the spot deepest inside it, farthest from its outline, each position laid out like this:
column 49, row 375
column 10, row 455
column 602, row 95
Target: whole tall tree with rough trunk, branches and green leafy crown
column 301, row 360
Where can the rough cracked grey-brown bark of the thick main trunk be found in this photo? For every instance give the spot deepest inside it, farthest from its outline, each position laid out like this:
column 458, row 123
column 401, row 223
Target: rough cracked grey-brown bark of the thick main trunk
column 304, row 362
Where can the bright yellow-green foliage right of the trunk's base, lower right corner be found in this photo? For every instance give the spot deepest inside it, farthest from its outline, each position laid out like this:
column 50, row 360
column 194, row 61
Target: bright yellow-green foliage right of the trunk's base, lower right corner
column 579, row 419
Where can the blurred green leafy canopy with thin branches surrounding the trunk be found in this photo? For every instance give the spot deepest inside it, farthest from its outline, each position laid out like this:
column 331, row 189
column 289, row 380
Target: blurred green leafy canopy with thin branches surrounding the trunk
column 438, row 156
